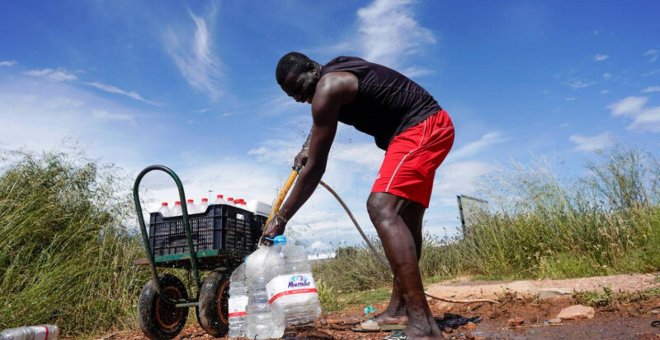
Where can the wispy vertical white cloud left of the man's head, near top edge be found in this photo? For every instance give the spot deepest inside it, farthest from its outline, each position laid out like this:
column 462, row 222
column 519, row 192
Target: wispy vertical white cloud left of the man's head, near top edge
column 193, row 54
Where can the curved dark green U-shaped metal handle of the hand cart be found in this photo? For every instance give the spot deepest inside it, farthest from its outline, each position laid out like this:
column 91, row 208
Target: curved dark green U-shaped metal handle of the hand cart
column 186, row 224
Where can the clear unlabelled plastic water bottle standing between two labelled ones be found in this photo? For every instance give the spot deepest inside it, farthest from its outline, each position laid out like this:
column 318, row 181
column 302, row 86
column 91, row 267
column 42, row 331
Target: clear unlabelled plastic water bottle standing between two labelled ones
column 262, row 323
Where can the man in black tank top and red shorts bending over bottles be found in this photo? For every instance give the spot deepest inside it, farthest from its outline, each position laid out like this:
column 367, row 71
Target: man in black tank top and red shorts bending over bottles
column 417, row 135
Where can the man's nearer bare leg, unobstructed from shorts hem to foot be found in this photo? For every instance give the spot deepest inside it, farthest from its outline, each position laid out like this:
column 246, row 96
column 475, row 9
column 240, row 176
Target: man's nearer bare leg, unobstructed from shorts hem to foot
column 399, row 244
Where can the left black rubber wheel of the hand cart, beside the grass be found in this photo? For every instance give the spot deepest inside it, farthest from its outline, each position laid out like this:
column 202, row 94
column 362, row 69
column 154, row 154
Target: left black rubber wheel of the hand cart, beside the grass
column 158, row 318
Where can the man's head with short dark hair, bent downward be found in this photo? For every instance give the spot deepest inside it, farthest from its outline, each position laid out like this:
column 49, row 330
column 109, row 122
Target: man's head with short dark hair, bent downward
column 298, row 76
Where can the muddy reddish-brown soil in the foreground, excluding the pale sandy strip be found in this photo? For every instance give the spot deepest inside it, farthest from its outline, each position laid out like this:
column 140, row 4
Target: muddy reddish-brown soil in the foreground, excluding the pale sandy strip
column 629, row 321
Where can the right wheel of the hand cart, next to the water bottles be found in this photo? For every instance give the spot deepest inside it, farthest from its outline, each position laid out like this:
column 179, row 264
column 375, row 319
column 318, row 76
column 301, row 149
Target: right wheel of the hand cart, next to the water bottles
column 213, row 304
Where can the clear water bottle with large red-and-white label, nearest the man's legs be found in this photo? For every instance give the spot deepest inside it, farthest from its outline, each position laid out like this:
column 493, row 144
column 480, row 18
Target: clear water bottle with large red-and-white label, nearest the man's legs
column 292, row 289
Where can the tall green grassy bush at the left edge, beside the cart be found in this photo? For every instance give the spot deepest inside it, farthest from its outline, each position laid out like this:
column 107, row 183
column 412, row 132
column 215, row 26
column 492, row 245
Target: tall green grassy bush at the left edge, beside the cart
column 65, row 256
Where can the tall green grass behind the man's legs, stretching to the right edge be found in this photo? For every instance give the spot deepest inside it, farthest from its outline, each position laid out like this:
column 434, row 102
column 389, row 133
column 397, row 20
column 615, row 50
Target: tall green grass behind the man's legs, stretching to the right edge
column 540, row 226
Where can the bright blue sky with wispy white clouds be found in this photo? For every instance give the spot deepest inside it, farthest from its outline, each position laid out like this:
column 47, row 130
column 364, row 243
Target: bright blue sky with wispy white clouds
column 191, row 85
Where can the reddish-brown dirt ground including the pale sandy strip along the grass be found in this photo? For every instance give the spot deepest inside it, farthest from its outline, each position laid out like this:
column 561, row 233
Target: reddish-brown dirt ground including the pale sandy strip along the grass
column 616, row 321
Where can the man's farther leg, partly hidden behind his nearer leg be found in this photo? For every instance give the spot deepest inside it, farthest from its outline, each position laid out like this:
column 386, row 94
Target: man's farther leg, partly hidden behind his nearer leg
column 395, row 313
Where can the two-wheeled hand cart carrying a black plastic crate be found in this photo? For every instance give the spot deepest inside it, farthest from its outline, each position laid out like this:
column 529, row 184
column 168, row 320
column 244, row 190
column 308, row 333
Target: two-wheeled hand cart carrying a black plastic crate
column 216, row 241
